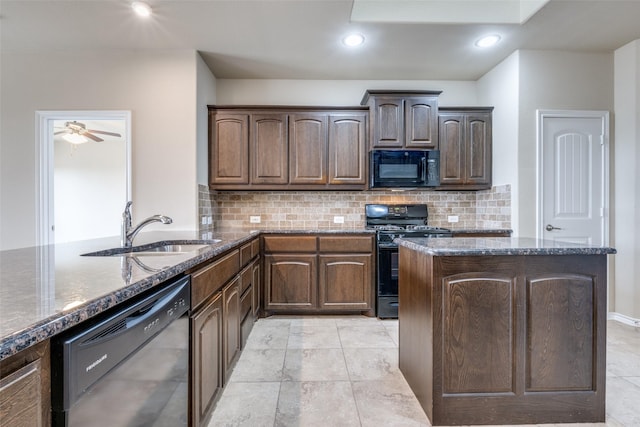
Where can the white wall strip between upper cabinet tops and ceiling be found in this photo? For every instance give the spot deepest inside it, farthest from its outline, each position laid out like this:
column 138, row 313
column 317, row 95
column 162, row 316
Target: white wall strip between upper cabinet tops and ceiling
column 333, row 92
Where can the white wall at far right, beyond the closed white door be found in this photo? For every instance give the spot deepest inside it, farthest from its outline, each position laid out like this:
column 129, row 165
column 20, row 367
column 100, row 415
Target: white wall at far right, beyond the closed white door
column 626, row 296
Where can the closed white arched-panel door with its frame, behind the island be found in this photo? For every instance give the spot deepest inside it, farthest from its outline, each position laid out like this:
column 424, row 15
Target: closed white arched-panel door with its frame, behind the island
column 573, row 176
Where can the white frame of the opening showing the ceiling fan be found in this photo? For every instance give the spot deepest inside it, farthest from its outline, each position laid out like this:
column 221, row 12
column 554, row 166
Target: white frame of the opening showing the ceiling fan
column 44, row 161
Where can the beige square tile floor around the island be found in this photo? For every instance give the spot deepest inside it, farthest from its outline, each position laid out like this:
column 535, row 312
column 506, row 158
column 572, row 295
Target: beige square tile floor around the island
column 343, row 371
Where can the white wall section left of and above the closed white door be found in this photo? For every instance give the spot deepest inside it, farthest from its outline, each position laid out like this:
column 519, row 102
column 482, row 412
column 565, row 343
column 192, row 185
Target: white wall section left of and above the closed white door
column 554, row 80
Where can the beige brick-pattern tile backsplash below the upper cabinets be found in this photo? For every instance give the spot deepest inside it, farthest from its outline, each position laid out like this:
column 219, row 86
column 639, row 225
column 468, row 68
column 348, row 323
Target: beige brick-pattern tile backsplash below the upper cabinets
column 488, row 209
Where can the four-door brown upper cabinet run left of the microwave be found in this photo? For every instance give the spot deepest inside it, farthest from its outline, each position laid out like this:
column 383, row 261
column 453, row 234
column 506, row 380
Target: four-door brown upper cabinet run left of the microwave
column 294, row 148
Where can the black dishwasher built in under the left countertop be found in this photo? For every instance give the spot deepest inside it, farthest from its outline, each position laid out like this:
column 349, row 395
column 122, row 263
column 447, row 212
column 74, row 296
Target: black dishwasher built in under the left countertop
column 129, row 367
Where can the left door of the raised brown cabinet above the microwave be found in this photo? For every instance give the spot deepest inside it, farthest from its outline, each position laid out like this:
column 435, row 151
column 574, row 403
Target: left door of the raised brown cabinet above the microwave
column 388, row 122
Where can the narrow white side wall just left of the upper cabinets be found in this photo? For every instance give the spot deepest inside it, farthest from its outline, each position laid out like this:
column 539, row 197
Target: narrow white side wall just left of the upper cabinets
column 205, row 95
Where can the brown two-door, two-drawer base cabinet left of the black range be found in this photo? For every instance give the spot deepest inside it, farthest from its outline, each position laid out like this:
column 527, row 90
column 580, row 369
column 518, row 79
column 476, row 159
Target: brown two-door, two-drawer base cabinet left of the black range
column 318, row 273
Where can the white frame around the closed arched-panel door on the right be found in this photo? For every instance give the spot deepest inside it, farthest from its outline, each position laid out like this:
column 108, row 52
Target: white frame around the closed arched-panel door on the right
column 541, row 115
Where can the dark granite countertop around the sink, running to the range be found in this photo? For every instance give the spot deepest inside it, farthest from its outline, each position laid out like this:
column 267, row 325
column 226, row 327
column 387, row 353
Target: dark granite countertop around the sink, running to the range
column 48, row 289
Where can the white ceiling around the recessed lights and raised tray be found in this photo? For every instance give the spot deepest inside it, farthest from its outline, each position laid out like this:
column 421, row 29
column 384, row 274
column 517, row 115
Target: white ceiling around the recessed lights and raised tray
column 300, row 39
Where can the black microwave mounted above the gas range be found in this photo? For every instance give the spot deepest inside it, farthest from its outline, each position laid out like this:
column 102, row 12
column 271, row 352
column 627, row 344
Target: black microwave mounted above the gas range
column 404, row 168
